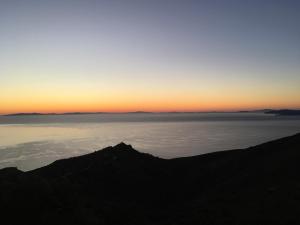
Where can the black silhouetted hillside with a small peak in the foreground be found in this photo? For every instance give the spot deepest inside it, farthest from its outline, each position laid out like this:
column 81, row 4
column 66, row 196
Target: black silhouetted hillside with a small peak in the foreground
column 121, row 186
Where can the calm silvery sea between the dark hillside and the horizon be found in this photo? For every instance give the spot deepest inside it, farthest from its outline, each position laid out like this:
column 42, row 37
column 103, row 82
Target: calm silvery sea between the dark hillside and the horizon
column 28, row 142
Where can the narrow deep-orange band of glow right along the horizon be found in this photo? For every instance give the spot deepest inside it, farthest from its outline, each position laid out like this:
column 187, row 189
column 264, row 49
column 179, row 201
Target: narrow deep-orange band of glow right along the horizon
column 122, row 107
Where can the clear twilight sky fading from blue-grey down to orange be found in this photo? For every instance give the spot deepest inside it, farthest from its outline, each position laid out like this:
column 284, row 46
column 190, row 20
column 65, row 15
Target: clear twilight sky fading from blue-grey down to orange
column 158, row 55
